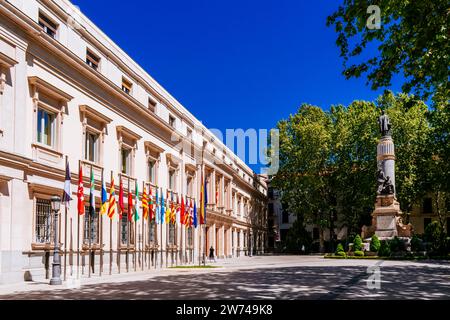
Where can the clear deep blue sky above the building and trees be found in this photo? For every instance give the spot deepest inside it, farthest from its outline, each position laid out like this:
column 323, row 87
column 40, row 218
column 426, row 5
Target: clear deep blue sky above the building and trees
column 234, row 64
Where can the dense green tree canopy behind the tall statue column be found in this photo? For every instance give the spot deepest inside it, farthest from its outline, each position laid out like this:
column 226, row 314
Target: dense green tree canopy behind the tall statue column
column 328, row 158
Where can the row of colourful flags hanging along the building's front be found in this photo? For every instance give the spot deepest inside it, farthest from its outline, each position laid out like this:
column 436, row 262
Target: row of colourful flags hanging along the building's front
column 154, row 208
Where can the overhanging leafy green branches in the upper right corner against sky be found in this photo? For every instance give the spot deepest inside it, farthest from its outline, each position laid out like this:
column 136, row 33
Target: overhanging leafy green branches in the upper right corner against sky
column 413, row 39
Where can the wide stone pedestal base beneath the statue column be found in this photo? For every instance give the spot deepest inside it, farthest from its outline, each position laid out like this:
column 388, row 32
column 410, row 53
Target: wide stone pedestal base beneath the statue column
column 387, row 220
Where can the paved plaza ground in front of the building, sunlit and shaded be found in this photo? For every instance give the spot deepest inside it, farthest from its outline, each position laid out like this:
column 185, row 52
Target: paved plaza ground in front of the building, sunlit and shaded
column 259, row 277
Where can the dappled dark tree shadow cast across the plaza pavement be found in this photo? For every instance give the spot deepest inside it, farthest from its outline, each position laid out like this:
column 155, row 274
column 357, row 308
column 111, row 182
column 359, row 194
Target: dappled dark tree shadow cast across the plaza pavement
column 307, row 282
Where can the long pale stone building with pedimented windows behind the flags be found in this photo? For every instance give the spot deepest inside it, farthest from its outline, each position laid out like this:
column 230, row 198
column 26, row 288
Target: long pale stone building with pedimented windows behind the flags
column 68, row 93
